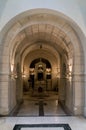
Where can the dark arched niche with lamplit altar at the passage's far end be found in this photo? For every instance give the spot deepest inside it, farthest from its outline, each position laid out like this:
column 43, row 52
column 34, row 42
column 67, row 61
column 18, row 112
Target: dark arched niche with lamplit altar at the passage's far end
column 40, row 74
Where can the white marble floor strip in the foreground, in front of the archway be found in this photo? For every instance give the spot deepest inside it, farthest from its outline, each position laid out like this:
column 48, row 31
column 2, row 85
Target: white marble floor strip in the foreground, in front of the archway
column 75, row 123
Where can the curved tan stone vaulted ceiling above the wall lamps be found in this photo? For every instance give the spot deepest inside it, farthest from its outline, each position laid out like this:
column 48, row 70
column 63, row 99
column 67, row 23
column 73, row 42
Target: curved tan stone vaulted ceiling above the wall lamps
column 32, row 30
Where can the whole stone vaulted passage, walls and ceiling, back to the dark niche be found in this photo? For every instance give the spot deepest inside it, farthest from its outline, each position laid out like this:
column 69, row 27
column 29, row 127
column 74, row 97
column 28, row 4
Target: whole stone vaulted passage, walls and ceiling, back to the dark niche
column 61, row 45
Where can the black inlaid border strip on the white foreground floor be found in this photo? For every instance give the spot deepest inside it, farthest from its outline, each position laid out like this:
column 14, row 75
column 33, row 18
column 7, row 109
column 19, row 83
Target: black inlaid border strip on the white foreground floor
column 19, row 126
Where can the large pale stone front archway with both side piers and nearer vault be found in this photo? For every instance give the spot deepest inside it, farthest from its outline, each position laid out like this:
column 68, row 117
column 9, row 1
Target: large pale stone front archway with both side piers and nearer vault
column 24, row 32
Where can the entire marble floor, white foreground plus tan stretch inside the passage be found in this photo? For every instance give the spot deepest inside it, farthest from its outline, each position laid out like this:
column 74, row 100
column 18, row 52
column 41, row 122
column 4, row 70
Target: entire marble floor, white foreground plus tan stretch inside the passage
column 44, row 110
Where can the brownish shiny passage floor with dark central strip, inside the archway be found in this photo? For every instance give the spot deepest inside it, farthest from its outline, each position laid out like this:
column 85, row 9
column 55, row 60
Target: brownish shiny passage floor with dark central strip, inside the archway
column 48, row 104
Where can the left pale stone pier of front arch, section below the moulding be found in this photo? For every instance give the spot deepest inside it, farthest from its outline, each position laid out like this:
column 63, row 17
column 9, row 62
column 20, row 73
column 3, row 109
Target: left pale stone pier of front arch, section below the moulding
column 4, row 103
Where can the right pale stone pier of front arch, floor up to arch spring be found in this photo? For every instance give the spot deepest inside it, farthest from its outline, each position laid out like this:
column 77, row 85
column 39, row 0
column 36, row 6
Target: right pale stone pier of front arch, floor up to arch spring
column 78, row 84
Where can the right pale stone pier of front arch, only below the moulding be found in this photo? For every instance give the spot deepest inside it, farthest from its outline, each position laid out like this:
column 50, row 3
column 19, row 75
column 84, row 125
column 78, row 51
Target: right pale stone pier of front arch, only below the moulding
column 78, row 94
